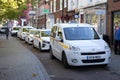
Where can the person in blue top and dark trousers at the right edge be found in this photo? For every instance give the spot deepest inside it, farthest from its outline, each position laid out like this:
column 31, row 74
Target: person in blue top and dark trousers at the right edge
column 117, row 41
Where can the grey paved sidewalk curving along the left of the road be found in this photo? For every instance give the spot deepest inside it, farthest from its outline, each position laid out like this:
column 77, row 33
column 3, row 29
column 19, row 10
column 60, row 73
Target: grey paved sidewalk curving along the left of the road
column 18, row 63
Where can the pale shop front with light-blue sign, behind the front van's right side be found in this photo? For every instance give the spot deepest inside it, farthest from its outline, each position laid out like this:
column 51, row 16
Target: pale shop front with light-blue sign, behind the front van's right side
column 96, row 16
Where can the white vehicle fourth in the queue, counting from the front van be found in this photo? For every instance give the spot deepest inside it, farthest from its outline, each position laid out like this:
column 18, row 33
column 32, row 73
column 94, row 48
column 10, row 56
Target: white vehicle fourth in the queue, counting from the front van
column 22, row 32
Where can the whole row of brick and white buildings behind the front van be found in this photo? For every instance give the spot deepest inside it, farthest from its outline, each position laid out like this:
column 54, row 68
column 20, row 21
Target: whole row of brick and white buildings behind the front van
column 98, row 13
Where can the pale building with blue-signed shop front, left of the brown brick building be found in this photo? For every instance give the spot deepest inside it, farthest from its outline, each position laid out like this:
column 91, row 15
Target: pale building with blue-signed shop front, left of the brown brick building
column 94, row 13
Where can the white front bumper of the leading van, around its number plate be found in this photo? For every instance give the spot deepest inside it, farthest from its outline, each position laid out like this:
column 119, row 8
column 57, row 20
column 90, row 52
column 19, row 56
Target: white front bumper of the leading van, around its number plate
column 76, row 58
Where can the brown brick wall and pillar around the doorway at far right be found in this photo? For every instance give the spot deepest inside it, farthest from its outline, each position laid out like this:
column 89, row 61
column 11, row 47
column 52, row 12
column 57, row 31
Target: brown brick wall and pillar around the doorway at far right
column 112, row 7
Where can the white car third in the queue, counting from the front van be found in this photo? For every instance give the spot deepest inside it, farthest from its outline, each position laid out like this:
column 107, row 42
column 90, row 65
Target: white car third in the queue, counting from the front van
column 29, row 36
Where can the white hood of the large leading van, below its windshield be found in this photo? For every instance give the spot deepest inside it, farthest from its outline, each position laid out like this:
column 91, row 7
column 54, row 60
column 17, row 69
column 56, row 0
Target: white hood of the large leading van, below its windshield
column 88, row 44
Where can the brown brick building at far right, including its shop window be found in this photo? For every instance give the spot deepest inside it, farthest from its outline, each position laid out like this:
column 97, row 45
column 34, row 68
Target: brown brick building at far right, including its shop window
column 113, row 18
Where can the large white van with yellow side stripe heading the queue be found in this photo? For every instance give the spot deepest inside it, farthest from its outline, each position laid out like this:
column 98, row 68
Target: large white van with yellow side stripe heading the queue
column 78, row 44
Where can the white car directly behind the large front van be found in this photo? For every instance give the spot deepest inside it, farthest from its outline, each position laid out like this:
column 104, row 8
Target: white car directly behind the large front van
column 42, row 39
